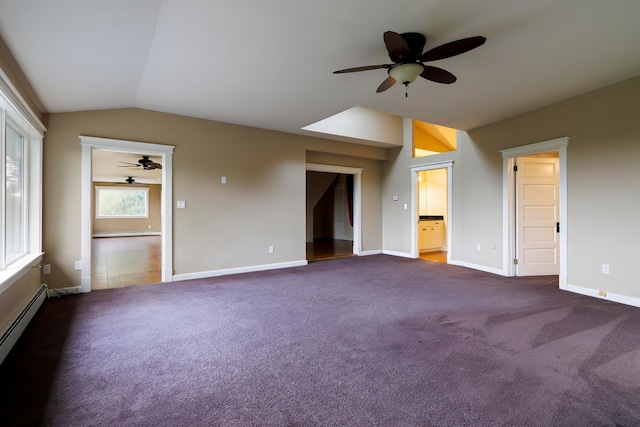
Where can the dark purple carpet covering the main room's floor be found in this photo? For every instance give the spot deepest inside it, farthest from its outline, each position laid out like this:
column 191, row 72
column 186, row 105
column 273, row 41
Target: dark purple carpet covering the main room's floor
column 369, row 341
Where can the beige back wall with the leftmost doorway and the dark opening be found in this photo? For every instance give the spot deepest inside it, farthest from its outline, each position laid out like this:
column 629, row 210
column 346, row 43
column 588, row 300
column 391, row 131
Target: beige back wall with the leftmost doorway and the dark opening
column 223, row 226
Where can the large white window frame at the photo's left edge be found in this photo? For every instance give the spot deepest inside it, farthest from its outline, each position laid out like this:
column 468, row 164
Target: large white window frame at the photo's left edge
column 15, row 111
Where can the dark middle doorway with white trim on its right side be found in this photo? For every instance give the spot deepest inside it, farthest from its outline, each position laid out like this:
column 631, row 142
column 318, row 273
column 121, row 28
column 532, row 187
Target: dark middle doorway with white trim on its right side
column 332, row 212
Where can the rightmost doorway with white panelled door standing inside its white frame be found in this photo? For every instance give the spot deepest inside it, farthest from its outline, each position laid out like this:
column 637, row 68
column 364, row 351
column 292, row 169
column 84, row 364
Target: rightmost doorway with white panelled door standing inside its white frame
column 535, row 210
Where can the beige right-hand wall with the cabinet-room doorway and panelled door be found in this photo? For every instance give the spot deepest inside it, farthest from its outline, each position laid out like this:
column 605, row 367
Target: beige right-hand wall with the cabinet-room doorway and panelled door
column 602, row 179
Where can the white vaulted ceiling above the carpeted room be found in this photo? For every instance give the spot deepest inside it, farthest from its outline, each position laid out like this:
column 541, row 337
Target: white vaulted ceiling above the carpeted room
column 269, row 64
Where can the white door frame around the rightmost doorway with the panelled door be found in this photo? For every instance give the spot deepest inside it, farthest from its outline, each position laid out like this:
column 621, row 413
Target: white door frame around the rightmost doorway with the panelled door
column 509, row 202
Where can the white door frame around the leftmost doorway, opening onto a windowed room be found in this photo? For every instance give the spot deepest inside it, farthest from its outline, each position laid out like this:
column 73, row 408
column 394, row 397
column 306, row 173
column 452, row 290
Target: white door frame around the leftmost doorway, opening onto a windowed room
column 90, row 143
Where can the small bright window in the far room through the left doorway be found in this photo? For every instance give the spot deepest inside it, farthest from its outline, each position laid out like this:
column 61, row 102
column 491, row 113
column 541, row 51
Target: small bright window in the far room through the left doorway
column 117, row 202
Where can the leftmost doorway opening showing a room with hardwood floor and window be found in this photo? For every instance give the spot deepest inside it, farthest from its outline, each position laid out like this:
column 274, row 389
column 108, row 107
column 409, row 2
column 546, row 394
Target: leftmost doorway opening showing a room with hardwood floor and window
column 126, row 223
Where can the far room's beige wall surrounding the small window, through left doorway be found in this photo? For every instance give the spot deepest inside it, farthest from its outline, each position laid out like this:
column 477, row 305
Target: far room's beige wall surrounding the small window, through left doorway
column 130, row 225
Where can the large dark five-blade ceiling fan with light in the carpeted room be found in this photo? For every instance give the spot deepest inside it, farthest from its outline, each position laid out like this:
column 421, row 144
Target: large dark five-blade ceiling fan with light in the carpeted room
column 405, row 51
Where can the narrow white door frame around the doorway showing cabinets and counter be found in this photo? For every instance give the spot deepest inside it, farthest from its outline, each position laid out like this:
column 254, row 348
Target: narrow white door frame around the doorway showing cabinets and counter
column 415, row 250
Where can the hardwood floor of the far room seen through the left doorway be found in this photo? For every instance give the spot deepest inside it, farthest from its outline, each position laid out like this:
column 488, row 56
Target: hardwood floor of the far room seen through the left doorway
column 117, row 262
